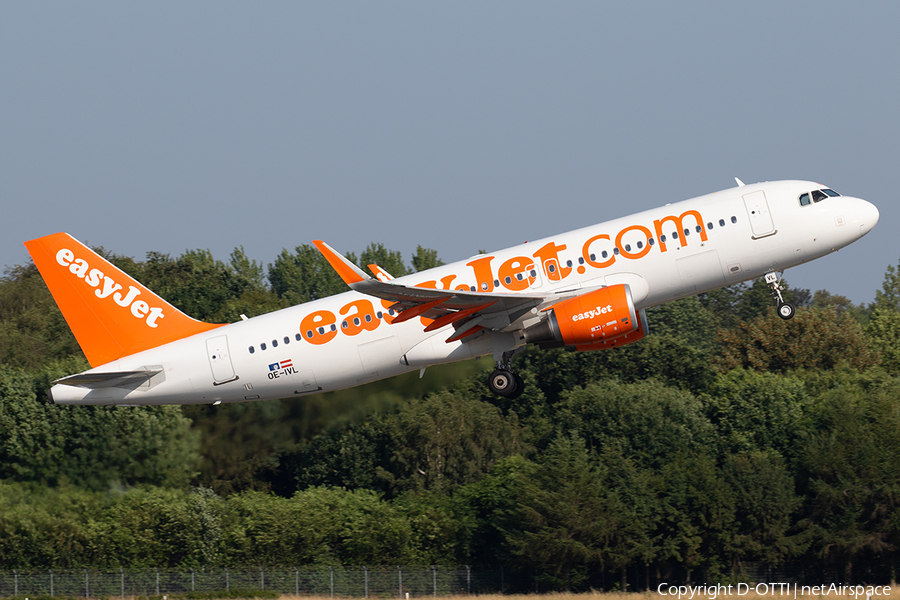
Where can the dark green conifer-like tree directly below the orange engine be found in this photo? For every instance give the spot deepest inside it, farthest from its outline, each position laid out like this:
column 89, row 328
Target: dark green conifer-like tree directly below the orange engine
column 579, row 515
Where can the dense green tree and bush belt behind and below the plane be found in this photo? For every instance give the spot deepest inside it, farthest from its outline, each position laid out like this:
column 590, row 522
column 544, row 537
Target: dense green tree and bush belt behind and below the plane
column 727, row 437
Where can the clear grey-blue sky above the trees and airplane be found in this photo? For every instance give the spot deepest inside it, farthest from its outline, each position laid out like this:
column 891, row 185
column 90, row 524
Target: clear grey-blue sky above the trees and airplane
column 168, row 126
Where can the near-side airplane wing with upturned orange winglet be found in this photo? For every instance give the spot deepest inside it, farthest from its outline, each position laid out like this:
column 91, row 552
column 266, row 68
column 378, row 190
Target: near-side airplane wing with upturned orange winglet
column 469, row 312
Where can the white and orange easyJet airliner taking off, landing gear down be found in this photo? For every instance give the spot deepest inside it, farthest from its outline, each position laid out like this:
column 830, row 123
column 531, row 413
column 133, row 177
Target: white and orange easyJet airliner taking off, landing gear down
column 586, row 289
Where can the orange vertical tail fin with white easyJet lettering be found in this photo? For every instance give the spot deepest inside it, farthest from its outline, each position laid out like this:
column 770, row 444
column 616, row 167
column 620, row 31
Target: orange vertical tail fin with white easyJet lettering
column 111, row 314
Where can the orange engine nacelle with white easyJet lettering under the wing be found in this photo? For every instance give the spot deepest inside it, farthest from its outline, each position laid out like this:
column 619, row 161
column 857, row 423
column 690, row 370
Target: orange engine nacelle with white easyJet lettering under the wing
column 604, row 318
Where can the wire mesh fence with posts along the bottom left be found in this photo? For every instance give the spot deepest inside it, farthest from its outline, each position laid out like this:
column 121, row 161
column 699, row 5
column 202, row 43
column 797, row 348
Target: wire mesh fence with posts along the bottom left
column 337, row 581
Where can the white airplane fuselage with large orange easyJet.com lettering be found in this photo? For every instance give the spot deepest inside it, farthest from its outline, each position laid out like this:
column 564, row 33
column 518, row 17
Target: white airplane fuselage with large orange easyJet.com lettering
column 675, row 251
